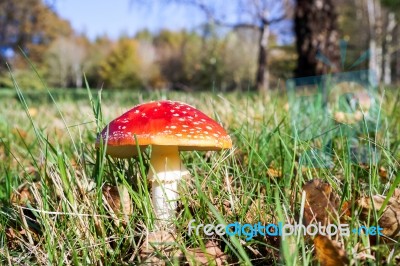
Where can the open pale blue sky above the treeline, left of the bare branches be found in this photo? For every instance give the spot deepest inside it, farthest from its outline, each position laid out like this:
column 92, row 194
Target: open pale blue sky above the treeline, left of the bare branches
column 97, row 17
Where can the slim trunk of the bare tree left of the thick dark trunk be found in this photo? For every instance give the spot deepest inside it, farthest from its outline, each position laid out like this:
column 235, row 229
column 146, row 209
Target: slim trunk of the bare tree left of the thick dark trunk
column 262, row 75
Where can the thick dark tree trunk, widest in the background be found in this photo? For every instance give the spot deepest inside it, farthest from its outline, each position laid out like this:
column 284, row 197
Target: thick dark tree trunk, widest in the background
column 316, row 33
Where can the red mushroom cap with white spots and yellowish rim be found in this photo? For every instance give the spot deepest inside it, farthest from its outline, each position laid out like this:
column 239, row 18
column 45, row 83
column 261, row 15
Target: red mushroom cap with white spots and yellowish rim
column 163, row 123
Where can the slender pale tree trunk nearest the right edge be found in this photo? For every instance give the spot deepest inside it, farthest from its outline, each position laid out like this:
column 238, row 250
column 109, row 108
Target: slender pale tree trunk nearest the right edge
column 387, row 56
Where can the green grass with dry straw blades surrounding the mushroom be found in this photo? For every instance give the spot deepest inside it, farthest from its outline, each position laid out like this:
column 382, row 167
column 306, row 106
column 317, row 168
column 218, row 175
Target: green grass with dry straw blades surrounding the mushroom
column 47, row 153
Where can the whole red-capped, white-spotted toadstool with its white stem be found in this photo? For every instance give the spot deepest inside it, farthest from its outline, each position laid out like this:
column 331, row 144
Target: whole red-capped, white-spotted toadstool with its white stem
column 169, row 127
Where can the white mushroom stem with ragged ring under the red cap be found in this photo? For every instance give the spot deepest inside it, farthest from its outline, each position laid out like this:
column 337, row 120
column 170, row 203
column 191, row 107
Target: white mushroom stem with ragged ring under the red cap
column 166, row 170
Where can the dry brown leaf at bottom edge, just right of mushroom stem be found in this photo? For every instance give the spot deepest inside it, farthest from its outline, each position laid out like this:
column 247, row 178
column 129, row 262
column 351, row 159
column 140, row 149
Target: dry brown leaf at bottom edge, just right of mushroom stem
column 212, row 255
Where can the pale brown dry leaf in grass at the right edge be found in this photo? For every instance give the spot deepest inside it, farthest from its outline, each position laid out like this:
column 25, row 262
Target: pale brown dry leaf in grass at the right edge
column 390, row 219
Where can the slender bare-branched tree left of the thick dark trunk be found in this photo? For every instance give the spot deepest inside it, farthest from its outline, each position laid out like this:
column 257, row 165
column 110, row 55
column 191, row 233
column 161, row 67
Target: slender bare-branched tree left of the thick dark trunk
column 254, row 14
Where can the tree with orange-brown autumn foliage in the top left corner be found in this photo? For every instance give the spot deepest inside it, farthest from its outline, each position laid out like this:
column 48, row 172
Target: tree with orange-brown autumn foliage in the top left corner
column 29, row 25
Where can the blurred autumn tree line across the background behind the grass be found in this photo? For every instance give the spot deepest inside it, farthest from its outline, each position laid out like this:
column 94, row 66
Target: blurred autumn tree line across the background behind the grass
column 220, row 55
